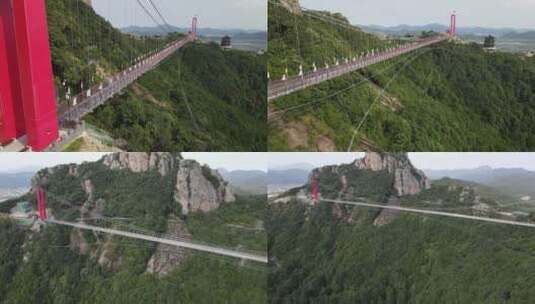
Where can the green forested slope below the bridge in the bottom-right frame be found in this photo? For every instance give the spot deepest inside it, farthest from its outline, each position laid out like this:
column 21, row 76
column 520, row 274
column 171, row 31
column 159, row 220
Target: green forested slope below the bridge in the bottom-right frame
column 412, row 260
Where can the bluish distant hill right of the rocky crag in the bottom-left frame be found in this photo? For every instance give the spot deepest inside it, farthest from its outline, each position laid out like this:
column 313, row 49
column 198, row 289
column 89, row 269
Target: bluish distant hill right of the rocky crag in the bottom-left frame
column 251, row 181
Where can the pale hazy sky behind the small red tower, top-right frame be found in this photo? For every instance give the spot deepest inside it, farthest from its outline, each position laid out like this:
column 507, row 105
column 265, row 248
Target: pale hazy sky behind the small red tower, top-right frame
column 487, row 13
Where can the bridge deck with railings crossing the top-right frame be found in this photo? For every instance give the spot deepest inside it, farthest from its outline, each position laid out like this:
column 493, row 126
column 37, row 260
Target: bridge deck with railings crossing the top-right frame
column 279, row 88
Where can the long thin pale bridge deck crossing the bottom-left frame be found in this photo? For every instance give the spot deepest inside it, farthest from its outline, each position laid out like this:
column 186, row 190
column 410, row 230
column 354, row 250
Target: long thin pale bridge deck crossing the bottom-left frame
column 174, row 242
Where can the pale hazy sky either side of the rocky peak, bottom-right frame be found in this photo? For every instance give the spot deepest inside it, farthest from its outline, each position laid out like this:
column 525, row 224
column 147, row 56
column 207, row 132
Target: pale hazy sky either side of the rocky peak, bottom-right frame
column 420, row 160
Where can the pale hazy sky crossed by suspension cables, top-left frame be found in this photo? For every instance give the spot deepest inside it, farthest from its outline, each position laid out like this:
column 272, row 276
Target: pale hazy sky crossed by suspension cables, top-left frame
column 245, row 14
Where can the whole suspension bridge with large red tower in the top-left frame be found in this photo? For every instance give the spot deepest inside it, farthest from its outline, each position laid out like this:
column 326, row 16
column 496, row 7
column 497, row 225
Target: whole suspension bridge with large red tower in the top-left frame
column 30, row 118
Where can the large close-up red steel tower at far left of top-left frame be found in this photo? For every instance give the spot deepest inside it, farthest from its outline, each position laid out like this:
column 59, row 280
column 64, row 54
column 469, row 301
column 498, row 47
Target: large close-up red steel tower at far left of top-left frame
column 28, row 103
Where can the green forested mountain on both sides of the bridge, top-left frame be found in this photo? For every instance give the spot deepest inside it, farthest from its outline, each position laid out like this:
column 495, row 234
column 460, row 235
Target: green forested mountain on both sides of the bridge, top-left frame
column 201, row 98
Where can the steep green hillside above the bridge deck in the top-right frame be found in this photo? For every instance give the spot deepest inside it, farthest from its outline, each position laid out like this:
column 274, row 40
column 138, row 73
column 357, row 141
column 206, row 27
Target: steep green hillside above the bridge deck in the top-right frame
column 296, row 38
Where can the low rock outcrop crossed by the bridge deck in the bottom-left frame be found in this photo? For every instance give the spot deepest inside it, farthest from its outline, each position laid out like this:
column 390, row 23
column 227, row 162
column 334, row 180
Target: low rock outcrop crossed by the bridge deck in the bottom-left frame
column 167, row 257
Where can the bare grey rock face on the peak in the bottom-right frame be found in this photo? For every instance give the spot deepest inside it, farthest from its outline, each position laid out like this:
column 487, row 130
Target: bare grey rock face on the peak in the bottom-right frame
column 407, row 179
